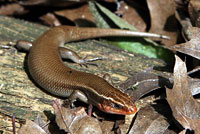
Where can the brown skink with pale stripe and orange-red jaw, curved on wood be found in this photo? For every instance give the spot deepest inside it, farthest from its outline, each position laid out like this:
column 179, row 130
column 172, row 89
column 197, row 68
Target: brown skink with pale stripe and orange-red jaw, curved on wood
column 48, row 70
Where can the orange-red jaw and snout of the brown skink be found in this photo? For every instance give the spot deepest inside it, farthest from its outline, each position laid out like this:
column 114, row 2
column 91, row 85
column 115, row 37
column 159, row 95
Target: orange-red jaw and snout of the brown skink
column 122, row 111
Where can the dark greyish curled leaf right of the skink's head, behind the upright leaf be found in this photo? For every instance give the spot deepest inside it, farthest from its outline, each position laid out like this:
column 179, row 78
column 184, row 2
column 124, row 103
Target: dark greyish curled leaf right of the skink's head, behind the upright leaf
column 144, row 82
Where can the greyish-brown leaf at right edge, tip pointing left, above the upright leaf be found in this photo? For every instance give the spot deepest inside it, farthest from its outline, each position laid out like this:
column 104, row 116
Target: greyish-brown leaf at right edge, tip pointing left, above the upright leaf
column 191, row 47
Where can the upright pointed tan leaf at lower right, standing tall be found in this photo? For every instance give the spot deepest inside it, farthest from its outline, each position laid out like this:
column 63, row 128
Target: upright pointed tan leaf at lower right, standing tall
column 185, row 108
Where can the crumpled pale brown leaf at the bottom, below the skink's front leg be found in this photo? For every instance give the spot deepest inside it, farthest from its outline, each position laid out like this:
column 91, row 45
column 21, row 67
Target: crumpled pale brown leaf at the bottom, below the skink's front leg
column 75, row 121
